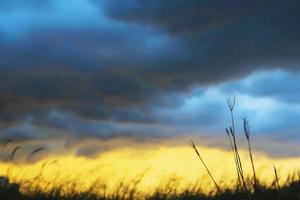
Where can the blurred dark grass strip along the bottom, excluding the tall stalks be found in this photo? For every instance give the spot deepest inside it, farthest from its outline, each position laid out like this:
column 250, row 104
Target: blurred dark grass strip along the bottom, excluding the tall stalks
column 290, row 191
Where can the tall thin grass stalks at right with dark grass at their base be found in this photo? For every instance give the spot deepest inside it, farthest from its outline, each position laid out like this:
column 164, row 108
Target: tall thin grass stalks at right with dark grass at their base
column 248, row 187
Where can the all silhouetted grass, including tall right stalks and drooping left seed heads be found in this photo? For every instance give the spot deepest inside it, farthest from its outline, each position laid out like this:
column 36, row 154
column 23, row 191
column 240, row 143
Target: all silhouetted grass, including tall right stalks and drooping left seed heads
column 246, row 187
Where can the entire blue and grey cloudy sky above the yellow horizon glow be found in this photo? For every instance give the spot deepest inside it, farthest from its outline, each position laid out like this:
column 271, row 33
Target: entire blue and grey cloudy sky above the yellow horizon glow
column 146, row 70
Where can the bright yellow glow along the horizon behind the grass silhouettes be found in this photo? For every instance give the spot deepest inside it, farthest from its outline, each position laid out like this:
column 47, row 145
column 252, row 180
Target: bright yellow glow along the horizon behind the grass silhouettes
column 155, row 165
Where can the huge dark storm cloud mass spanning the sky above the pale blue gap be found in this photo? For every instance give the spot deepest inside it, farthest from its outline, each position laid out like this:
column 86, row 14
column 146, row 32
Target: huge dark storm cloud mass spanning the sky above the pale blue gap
column 137, row 55
